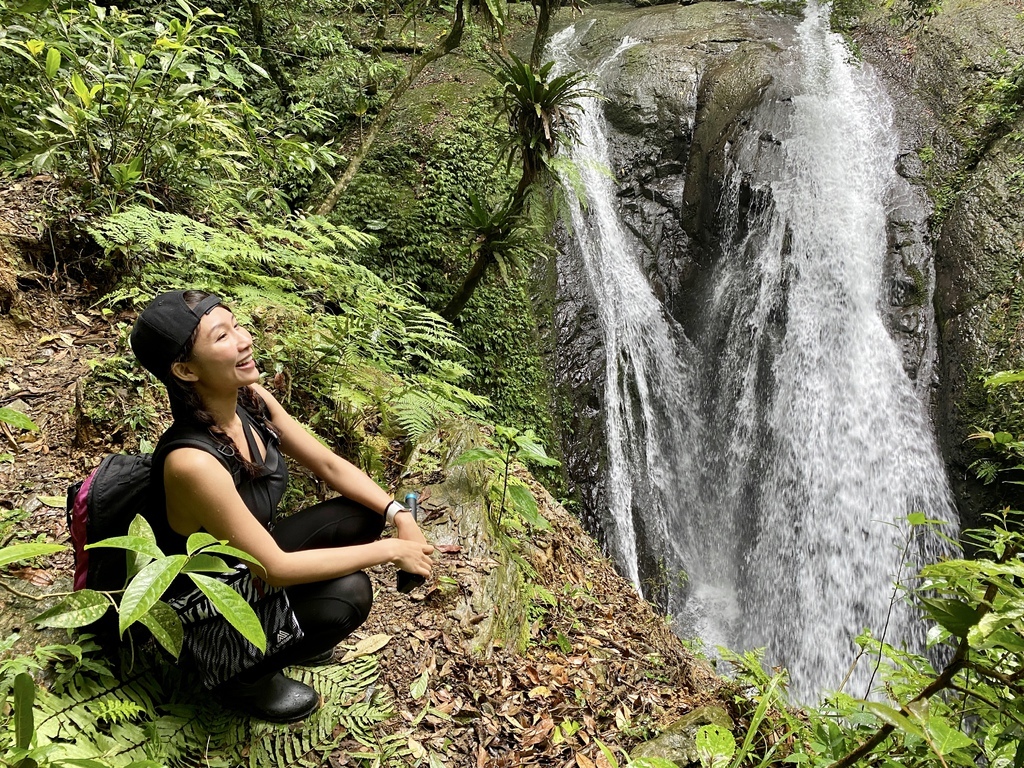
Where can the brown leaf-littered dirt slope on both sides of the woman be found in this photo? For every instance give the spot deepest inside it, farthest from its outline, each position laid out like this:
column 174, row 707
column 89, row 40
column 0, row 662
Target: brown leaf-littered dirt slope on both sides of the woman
column 599, row 665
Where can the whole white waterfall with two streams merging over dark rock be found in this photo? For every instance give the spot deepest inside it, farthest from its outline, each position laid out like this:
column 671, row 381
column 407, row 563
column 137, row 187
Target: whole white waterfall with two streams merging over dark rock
column 775, row 458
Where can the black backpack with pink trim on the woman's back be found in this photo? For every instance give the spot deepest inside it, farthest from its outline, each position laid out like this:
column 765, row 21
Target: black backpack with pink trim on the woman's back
column 105, row 504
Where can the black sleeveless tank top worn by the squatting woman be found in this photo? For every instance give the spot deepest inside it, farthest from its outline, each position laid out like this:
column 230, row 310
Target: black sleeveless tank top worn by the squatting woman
column 262, row 494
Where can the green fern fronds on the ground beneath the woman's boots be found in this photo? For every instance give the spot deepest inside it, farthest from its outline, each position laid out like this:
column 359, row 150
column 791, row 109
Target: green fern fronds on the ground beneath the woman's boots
column 156, row 714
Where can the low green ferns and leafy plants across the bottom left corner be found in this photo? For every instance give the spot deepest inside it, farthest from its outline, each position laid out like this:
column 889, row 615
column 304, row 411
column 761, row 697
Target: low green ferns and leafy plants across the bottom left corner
column 100, row 713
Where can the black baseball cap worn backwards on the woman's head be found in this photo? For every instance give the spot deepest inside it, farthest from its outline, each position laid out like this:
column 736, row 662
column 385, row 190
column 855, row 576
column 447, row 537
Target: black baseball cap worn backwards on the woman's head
column 164, row 328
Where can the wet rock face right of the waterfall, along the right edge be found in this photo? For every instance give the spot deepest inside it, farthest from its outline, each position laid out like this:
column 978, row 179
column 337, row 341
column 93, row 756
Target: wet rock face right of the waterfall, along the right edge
column 940, row 76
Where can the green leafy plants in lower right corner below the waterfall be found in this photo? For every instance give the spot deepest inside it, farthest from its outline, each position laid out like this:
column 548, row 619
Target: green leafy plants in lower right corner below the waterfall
column 965, row 710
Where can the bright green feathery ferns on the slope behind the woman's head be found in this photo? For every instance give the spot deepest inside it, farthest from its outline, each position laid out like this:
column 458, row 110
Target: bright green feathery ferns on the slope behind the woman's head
column 358, row 350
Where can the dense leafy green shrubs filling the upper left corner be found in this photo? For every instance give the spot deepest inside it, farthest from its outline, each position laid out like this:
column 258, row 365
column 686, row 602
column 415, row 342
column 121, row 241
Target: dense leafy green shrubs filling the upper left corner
column 125, row 107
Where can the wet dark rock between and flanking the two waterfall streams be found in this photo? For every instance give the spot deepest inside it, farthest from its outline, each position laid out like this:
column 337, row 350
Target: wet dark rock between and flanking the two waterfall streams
column 677, row 105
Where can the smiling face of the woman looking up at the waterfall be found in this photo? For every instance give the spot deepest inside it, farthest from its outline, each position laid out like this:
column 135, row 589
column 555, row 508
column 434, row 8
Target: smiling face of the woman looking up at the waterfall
column 223, row 356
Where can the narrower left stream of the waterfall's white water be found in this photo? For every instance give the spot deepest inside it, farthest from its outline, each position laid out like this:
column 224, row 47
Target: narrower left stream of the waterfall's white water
column 655, row 470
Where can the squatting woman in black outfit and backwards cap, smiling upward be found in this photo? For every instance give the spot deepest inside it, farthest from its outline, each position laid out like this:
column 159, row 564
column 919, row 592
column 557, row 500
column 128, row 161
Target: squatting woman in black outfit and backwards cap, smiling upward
column 222, row 471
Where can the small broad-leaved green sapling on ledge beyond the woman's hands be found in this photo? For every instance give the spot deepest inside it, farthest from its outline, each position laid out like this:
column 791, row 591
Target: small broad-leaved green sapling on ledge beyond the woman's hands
column 505, row 492
